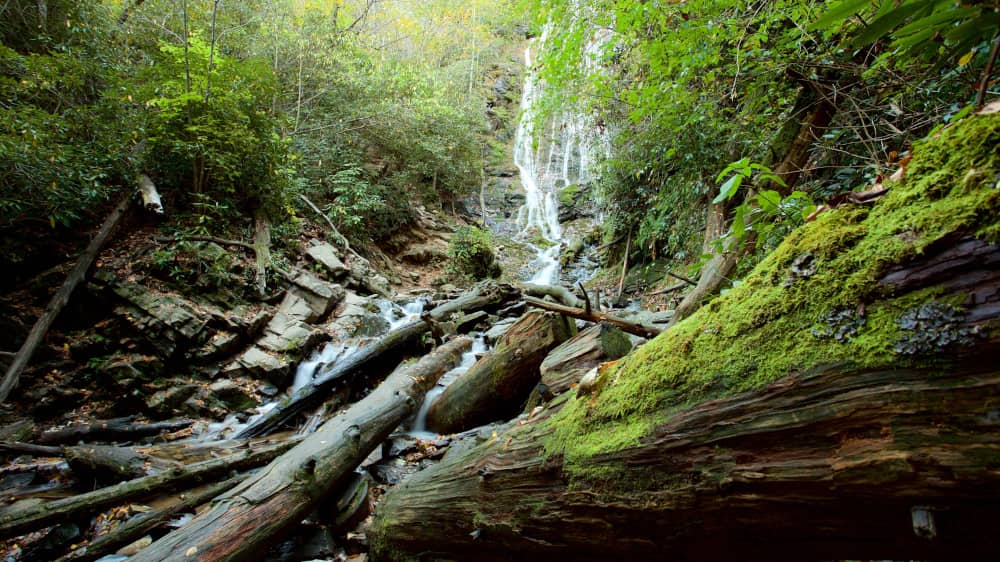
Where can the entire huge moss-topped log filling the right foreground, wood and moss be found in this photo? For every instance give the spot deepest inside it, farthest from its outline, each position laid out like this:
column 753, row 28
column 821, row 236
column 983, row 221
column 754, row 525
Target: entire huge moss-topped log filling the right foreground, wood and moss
column 839, row 403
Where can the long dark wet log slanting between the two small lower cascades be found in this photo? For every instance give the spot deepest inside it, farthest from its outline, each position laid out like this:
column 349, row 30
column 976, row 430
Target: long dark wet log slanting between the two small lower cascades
column 380, row 356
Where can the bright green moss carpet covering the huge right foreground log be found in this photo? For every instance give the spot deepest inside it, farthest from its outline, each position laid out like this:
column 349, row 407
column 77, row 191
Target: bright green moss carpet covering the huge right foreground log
column 763, row 328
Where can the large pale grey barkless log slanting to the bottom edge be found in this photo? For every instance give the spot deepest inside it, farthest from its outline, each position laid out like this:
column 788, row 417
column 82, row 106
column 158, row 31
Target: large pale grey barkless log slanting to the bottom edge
column 257, row 511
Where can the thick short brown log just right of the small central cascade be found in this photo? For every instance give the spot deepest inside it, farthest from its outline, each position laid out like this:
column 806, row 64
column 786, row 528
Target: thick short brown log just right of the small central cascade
column 496, row 386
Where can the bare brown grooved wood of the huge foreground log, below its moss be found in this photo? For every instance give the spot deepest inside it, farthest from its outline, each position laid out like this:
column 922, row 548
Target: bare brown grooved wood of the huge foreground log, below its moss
column 826, row 465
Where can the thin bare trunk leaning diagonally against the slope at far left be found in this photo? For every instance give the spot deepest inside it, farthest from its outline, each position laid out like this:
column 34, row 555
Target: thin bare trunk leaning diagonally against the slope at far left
column 60, row 299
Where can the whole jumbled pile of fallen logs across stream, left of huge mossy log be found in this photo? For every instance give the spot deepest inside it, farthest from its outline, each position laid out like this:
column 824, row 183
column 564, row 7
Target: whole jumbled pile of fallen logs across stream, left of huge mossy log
column 252, row 490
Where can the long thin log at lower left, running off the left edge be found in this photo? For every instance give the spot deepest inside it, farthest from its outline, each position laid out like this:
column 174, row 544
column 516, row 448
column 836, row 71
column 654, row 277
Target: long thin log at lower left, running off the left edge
column 17, row 519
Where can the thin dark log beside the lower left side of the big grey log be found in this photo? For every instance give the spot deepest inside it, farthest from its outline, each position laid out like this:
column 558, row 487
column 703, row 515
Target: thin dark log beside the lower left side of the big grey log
column 137, row 527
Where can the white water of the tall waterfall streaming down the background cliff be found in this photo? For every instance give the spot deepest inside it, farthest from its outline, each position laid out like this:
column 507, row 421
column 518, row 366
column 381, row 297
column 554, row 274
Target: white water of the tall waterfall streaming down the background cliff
column 560, row 157
